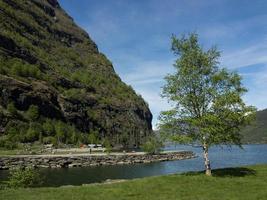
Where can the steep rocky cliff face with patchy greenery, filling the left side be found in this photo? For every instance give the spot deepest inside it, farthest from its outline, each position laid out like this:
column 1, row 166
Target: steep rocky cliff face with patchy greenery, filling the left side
column 48, row 62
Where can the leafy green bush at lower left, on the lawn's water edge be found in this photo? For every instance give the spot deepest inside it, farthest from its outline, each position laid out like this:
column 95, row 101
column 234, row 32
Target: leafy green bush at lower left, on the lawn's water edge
column 24, row 177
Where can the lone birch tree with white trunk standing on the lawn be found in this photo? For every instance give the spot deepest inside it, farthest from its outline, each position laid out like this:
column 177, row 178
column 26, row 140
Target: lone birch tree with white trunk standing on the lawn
column 208, row 108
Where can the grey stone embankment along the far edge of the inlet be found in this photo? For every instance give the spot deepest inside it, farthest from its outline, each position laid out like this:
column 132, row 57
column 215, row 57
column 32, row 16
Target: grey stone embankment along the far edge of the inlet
column 68, row 161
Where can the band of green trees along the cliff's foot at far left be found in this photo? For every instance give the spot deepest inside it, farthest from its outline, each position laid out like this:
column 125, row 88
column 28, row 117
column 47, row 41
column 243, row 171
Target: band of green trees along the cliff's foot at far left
column 43, row 130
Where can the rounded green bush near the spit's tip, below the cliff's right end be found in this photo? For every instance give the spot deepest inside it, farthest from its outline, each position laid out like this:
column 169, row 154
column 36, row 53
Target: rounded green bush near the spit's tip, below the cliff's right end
column 153, row 145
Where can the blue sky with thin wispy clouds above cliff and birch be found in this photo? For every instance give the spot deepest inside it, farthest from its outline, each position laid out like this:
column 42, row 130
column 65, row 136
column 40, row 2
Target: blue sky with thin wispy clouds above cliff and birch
column 136, row 36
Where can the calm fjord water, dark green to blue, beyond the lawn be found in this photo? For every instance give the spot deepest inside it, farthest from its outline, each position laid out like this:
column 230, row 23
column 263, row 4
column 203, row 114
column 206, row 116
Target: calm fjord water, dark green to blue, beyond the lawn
column 219, row 157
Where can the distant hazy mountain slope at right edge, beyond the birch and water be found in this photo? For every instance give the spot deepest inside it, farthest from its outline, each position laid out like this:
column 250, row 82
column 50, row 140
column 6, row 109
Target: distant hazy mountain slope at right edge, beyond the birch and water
column 256, row 132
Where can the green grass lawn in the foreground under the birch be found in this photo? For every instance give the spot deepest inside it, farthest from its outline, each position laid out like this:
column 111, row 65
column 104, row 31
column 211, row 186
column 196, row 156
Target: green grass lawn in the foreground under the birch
column 244, row 183
